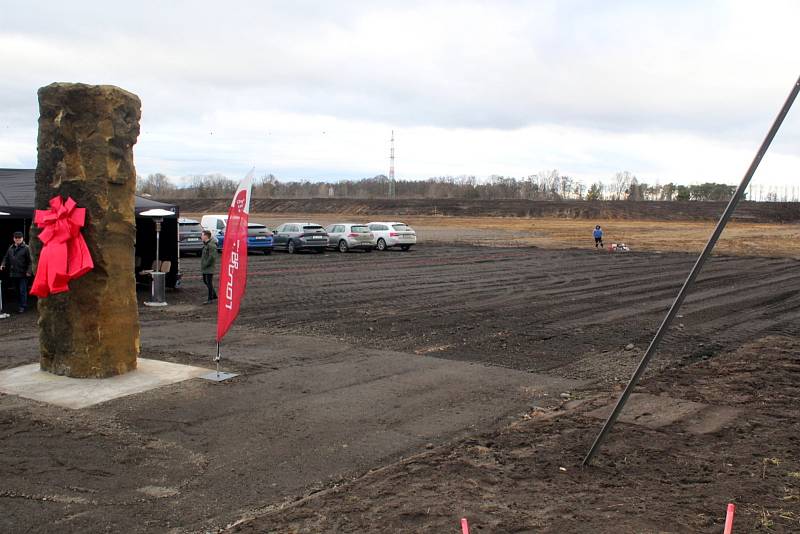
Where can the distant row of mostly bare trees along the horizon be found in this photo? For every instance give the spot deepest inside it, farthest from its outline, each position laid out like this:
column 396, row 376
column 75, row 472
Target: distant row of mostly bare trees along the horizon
column 546, row 185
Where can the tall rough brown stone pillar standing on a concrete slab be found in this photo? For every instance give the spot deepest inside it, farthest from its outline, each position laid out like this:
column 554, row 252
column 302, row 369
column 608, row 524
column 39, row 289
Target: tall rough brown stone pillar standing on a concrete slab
column 85, row 150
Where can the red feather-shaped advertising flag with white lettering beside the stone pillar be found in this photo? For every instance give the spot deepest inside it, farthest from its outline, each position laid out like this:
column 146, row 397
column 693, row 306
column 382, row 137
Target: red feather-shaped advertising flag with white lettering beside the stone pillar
column 233, row 272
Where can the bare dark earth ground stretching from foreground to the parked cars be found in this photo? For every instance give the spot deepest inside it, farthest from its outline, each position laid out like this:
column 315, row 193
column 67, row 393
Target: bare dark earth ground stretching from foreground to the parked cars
column 401, row 391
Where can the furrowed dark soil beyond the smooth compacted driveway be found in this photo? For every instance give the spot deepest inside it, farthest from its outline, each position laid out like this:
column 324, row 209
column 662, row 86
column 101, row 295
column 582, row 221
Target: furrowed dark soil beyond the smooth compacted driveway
column 524, row 308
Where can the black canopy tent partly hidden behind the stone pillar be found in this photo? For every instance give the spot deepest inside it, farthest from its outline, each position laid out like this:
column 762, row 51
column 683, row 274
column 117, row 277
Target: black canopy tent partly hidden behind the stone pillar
column 17, row 198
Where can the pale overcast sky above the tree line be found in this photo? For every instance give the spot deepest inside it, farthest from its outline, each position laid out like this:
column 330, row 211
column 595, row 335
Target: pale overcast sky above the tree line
column 679, row 91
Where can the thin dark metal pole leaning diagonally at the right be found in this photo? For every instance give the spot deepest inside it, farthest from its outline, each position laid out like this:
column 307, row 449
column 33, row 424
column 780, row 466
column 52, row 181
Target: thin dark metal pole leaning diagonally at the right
column 726, row 215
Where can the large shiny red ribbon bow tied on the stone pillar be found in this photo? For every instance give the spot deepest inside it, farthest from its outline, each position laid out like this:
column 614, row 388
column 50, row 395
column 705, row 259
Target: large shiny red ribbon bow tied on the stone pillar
column 65, row 255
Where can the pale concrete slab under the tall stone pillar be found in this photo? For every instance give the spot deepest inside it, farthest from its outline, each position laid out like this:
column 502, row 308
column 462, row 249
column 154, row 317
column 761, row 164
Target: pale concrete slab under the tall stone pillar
column 30, row 382
